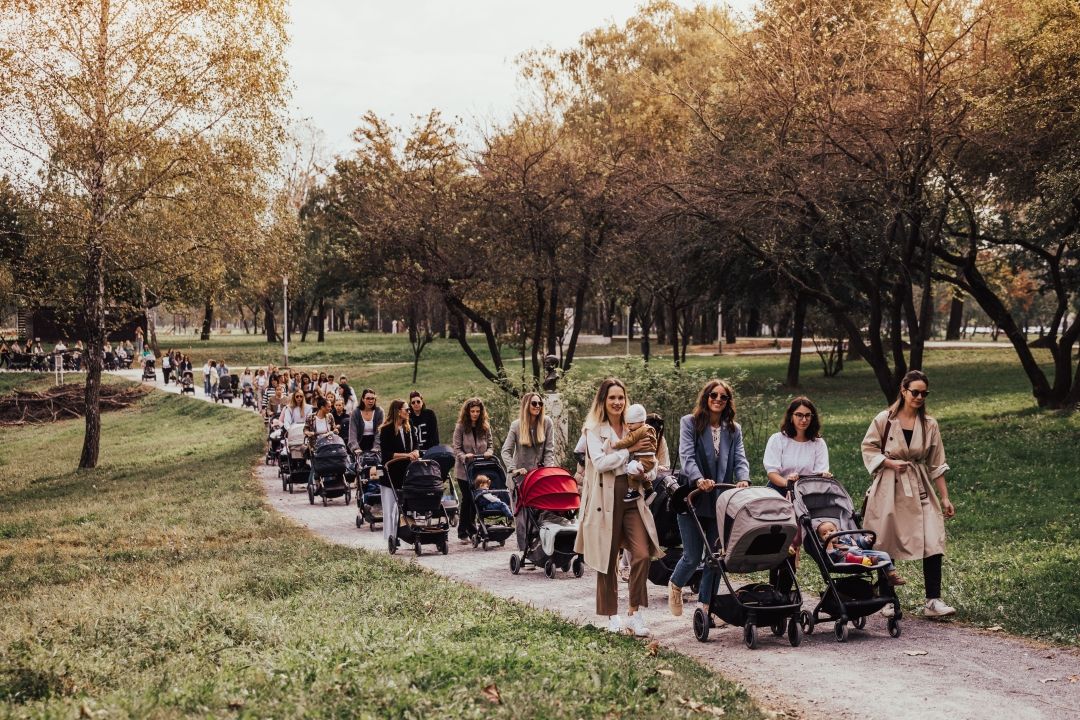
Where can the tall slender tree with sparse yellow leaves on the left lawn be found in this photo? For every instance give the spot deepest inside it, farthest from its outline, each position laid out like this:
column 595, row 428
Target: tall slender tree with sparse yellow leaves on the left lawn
column 111, row 102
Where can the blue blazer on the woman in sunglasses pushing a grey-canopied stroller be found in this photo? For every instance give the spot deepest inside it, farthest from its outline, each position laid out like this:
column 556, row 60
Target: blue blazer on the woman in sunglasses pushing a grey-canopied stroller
column 698, row 460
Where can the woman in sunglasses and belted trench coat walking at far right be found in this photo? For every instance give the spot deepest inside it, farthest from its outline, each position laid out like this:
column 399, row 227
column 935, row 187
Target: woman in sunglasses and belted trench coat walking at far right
column 903, row 452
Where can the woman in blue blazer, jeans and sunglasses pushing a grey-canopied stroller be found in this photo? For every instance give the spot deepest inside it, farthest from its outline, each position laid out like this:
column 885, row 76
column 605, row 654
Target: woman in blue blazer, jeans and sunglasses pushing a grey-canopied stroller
column 711, row 451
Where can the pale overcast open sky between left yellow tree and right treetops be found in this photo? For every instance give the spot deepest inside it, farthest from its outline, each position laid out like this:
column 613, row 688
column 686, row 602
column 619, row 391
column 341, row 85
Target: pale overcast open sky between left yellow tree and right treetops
column 403, row 58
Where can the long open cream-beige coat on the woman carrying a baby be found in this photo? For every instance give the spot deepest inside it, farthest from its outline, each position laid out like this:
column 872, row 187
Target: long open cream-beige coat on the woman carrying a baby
column 603, row 465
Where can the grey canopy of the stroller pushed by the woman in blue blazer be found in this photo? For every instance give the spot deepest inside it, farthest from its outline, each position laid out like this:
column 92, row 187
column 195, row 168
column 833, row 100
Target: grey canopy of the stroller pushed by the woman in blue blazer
column 758, row 526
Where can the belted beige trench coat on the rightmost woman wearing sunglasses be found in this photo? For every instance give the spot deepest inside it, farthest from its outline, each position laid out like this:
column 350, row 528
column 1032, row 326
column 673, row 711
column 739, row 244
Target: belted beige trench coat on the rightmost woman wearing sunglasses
column 909, row 526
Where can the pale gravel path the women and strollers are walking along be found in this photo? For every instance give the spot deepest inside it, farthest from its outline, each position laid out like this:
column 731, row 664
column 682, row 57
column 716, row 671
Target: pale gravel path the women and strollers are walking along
column 935, row 670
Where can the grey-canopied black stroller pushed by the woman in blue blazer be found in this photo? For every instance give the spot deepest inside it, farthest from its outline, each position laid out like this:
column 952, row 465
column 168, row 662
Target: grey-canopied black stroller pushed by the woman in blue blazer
column 757, row 528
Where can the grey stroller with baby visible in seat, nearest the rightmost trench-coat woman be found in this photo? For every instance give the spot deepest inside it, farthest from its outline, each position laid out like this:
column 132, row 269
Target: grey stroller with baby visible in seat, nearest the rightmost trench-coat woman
column 850, row 593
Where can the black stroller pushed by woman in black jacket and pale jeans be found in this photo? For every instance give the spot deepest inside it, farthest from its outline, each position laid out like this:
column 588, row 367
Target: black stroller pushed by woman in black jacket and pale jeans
column 422, row 518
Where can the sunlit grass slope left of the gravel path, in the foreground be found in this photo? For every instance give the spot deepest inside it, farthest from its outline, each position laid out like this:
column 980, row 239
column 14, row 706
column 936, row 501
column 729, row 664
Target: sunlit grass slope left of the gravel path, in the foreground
column 160, row 586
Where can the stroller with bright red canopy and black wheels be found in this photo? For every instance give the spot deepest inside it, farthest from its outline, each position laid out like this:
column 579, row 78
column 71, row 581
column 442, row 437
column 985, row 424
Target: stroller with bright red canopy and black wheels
column 548, row 545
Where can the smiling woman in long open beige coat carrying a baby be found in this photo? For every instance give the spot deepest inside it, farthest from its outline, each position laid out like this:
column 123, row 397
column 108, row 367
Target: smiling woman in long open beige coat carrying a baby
column 607, row 522
